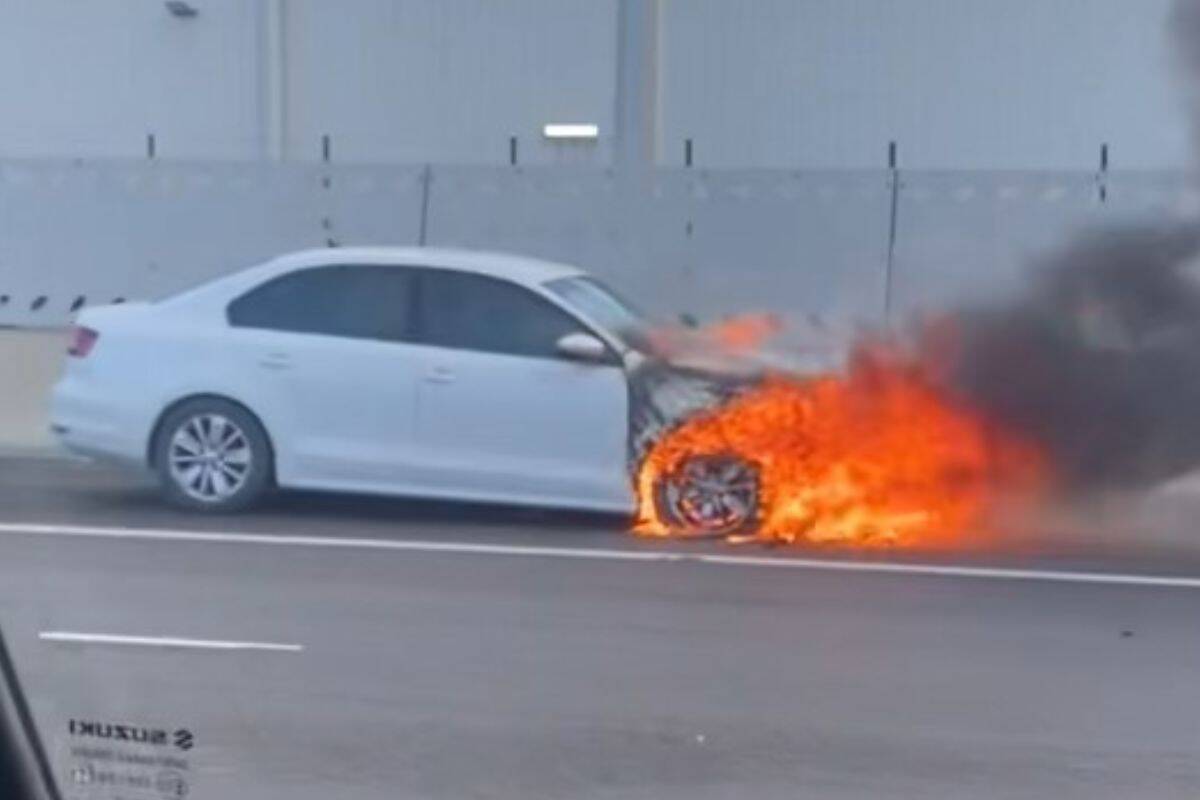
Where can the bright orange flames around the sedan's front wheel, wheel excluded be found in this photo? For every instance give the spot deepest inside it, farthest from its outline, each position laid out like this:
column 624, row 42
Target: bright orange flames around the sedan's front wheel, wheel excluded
column 875, row 456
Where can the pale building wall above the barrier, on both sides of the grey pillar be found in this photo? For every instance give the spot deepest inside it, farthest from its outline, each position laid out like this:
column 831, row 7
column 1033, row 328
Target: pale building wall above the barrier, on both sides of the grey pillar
column 961, row 85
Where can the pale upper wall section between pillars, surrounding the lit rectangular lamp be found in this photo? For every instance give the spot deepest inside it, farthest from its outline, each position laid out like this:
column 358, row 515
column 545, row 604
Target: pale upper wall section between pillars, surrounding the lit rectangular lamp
column 448, row 82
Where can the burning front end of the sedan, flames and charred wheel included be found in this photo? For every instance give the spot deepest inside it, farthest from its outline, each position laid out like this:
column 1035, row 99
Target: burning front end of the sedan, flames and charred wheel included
column 874, row 452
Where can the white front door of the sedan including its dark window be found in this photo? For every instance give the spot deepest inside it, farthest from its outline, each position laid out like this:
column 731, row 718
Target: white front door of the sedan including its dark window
column 500, row 413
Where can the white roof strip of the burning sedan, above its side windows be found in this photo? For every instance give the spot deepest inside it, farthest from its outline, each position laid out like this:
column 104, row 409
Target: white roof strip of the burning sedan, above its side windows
column 519, row 269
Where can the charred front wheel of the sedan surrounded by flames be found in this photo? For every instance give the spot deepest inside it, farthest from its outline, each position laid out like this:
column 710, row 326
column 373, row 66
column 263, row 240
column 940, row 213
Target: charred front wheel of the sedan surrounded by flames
column 710, row 496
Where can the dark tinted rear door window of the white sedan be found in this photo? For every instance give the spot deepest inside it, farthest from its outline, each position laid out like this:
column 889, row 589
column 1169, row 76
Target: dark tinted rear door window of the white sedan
column 353, row 302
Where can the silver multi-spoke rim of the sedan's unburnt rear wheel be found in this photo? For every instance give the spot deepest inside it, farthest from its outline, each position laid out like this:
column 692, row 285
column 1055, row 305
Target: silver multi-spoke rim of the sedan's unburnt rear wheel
column 209, row 458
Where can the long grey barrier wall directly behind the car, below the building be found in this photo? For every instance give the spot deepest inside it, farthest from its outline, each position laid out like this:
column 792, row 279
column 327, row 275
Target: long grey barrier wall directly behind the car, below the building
column 850, row 245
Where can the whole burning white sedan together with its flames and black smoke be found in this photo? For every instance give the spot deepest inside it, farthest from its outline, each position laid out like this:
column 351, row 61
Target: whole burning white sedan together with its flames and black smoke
column 494, row 378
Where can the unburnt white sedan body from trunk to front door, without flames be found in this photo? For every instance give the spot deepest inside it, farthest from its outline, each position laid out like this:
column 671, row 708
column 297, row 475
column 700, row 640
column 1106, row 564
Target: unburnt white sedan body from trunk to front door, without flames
column 395, row 371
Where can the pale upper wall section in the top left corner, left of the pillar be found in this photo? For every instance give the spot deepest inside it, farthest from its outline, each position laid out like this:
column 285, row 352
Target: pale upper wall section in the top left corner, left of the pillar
column 82, row 79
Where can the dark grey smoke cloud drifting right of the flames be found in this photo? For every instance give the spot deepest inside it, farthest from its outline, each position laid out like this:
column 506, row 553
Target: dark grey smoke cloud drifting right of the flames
column 1100, row 362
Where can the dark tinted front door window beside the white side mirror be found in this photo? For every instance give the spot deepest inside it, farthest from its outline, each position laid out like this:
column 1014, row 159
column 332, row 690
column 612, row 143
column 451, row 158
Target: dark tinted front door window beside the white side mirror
column 473, row 312
